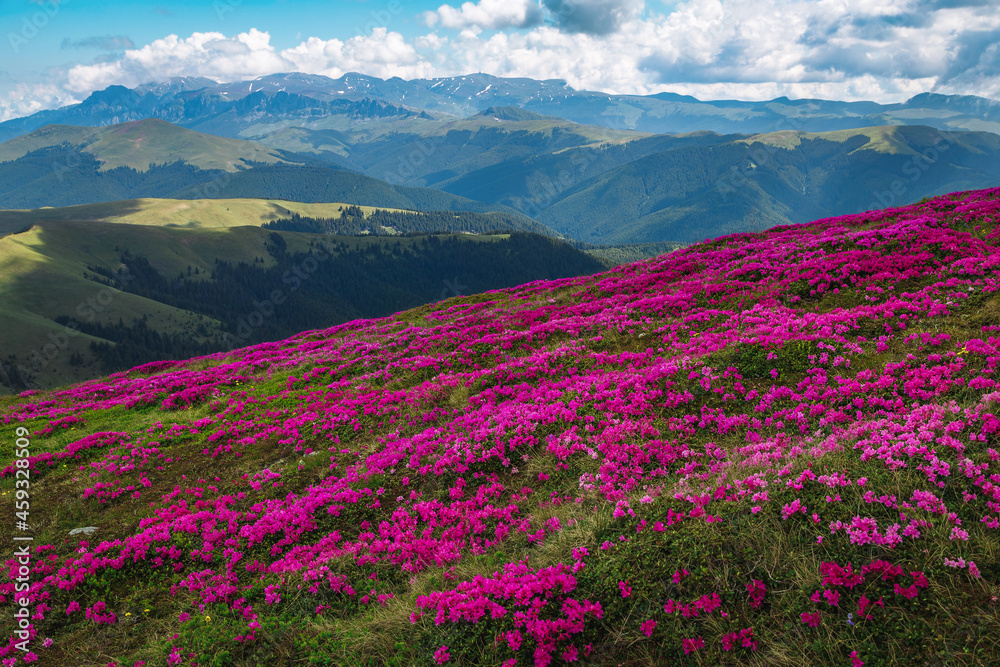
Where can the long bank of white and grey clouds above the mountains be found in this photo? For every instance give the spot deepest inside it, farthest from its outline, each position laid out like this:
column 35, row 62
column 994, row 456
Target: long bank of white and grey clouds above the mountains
column 743, row 49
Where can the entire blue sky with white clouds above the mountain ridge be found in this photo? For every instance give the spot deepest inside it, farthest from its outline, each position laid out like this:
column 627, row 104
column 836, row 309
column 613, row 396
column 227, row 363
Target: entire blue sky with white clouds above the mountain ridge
column 56, row 52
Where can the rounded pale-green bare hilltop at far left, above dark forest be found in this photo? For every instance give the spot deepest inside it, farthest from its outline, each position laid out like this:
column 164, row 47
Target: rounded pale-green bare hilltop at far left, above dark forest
column 139, row 144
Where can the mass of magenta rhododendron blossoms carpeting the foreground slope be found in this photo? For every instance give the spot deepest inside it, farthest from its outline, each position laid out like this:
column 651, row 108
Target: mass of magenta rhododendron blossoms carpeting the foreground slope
column 621, row 370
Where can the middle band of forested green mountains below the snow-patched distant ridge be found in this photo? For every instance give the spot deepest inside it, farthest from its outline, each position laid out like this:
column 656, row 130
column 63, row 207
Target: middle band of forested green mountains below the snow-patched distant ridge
column 548, row 174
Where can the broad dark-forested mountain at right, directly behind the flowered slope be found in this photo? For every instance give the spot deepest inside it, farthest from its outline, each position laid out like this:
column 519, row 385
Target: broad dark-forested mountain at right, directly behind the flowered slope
column 688, row 194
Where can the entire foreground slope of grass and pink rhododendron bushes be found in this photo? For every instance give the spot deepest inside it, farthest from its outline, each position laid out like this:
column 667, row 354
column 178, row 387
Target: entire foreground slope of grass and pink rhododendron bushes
column 777, row 448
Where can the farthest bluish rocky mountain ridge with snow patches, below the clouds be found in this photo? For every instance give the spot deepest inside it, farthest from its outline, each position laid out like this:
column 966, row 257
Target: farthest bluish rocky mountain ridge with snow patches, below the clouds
column 228, row 108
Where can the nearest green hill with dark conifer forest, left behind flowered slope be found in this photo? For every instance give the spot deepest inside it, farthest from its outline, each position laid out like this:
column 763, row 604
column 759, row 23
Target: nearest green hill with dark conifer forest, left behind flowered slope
column 153, row 279
